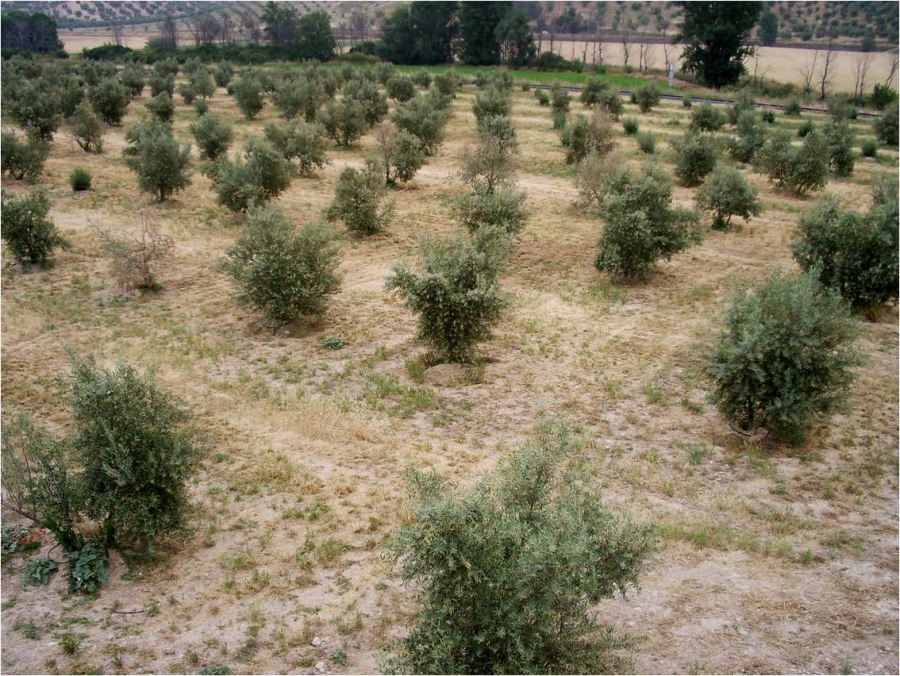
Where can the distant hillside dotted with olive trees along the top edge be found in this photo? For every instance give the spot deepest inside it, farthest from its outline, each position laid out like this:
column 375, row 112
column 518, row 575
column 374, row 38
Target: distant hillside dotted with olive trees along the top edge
column 798, row 22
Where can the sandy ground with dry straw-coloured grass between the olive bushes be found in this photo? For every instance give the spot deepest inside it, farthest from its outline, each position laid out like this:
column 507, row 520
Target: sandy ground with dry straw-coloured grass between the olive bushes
column 770, row 562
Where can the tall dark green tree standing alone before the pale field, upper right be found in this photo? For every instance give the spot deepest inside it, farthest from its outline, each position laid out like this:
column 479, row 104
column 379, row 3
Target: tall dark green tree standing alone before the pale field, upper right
column 716, row 34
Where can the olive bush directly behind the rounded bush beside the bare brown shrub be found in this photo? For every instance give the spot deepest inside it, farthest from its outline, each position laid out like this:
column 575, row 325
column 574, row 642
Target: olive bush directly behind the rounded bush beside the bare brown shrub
column 261, row 175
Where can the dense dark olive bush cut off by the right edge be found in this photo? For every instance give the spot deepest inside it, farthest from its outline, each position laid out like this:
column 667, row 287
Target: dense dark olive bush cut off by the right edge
column 853, row 253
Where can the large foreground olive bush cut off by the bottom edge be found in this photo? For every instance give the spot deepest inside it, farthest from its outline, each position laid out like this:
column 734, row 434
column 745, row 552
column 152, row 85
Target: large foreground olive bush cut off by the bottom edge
column 482, row 560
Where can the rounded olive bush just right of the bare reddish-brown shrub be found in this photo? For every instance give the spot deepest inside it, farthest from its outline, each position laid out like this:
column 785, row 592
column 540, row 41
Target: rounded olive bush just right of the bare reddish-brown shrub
column 281, row 272
